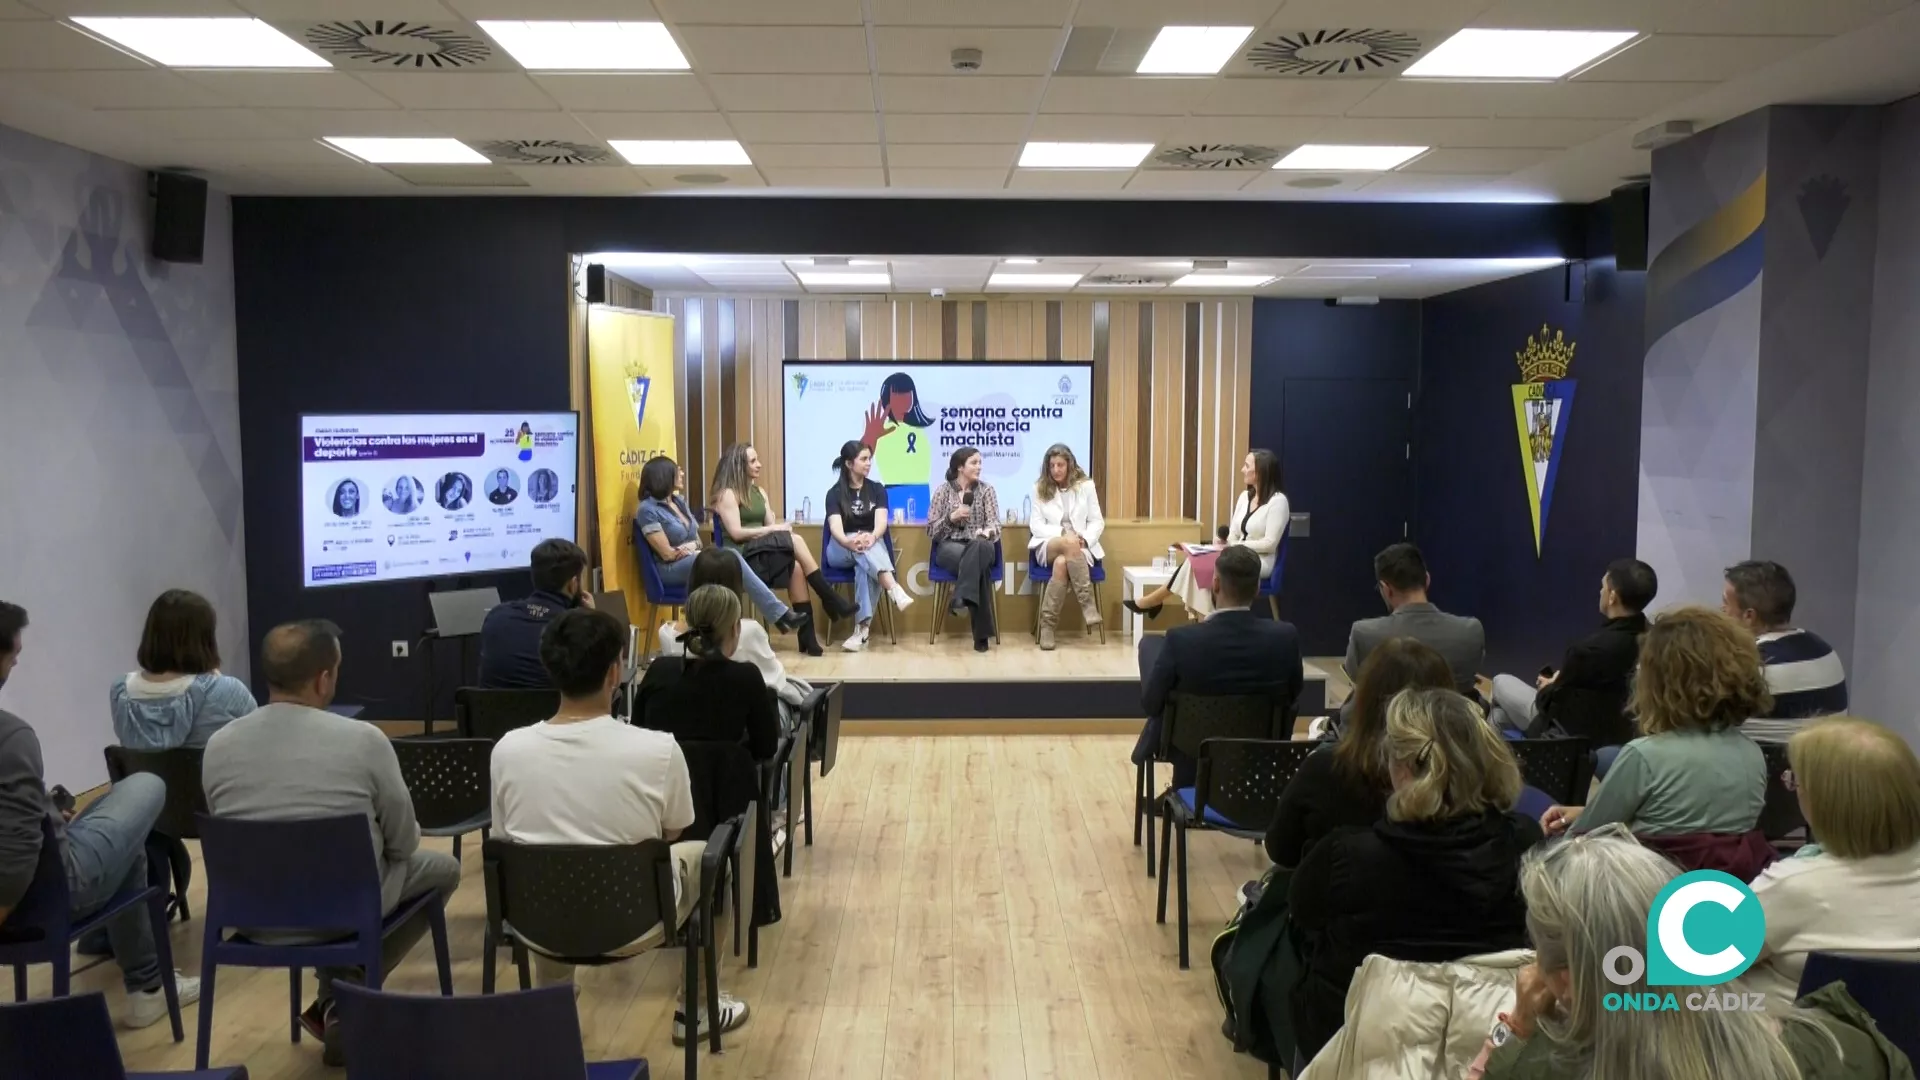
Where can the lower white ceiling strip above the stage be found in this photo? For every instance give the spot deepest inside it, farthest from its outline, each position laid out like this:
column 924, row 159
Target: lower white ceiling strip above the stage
column 967, row 276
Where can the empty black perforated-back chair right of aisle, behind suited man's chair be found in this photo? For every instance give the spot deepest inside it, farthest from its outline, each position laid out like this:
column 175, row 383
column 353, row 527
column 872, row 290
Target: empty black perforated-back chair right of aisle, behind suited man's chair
column 1237, row 791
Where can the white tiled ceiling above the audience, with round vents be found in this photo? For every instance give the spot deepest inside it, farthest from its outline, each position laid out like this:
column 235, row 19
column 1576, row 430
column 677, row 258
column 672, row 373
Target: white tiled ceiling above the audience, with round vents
column 857, row 97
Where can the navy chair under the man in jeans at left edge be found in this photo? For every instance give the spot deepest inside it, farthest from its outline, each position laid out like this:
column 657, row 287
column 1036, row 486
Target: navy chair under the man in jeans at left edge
column 41, row 931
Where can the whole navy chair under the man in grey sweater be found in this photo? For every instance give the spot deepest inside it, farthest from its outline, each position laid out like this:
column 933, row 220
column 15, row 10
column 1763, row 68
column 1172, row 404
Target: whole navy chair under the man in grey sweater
column 299, row 875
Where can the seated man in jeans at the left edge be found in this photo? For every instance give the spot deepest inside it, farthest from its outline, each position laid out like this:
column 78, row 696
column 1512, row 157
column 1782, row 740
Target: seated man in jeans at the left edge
column 103, row 848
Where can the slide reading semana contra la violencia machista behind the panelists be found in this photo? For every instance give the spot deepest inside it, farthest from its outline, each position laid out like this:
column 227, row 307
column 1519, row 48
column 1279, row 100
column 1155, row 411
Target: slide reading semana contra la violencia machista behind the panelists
column 919, row 414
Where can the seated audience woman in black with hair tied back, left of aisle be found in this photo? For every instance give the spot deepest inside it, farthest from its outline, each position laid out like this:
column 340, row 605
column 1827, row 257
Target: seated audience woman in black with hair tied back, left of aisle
column 709, row 697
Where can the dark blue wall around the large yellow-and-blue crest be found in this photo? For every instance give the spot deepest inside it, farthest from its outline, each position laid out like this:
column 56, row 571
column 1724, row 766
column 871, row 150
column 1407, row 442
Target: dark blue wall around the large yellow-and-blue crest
column 1472, row 503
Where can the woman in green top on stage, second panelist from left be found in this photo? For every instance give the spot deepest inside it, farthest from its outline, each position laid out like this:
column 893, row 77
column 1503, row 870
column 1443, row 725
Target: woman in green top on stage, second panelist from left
column 775, row 552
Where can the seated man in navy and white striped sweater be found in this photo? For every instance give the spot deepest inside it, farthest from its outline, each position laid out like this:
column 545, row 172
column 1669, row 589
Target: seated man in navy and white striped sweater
column 1804, row 674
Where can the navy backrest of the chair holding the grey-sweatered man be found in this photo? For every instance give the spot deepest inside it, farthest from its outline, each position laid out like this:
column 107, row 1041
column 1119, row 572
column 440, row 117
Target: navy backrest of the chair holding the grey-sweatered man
column 312, row 873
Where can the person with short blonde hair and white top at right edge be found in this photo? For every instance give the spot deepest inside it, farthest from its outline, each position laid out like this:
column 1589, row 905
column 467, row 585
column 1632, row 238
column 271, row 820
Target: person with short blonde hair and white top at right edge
column 1858, row 889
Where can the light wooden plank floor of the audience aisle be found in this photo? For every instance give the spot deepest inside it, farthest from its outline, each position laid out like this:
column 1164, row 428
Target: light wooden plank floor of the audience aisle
column 972, row 908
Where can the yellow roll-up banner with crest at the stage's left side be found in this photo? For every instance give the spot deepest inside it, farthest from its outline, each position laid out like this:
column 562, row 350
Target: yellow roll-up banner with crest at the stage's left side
column 631, row 364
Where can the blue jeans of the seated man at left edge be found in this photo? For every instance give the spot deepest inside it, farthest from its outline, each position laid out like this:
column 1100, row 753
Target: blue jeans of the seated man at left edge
column 107, row 856
